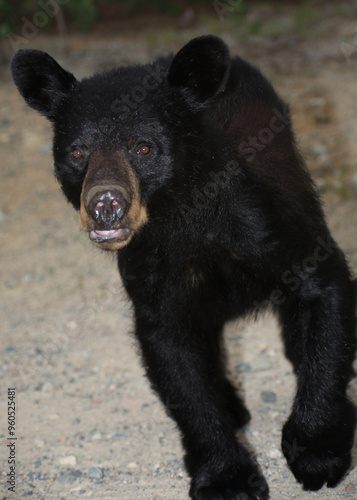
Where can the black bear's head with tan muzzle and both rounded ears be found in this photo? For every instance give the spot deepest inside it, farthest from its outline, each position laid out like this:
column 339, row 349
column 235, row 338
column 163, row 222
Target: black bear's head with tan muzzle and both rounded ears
column 122, row 136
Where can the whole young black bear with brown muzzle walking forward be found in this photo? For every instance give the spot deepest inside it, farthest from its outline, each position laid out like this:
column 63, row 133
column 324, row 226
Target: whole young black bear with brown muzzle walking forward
column 188, row 168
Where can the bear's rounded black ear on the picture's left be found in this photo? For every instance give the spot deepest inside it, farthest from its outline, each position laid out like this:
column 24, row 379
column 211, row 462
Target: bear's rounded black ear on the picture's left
column 41, row 81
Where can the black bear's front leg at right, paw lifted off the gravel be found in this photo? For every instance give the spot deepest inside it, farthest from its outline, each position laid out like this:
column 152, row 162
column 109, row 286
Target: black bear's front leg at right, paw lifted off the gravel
column 320, row 341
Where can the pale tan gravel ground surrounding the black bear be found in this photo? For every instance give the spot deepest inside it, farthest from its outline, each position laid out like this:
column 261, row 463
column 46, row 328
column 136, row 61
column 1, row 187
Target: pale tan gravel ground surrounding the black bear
column 87, row 423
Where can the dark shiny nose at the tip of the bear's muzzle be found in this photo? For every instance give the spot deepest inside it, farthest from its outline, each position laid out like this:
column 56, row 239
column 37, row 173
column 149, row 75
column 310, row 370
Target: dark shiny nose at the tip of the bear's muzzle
column 107, row 207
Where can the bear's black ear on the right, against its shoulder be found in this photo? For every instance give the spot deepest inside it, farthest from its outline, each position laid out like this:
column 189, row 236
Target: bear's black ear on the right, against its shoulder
column 202, row 66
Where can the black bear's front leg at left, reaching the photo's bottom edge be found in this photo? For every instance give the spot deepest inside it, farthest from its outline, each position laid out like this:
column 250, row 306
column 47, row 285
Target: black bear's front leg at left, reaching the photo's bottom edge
column 185, row 371
